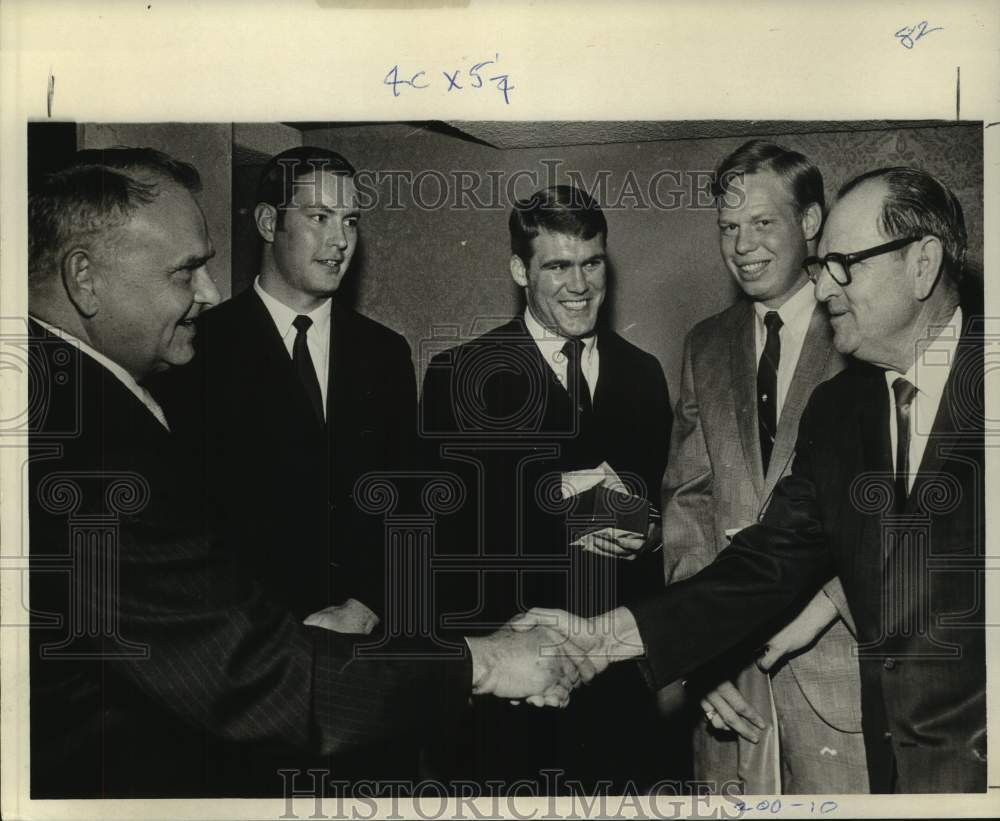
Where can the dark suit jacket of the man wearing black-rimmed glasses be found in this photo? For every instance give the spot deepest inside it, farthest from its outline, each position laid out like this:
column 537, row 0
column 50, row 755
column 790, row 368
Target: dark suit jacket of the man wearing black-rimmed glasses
column 914, row 585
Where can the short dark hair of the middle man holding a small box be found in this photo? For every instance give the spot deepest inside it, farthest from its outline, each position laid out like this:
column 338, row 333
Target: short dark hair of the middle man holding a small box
column 559, row 209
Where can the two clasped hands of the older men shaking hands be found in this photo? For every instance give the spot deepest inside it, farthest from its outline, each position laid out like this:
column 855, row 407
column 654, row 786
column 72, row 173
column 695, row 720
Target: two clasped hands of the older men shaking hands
column 541, row 656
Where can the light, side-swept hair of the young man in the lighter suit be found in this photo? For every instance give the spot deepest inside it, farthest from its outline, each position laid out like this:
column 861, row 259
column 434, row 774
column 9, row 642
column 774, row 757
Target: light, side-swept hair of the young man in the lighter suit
column 803, row 179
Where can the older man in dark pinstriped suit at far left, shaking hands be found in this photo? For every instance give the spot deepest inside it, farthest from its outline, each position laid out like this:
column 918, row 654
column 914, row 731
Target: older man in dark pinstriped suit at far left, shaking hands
column 157, row 662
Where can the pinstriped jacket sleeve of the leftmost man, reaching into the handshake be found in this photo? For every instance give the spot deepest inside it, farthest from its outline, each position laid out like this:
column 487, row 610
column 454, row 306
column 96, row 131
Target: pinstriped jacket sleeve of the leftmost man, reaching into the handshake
column 222, row 658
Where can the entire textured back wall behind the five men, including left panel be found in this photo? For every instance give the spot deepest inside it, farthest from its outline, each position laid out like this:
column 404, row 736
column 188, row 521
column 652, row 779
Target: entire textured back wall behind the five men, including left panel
column 427, row 271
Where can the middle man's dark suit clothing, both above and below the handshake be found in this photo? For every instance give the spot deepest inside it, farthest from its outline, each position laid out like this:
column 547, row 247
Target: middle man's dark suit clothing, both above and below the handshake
column 494, row 413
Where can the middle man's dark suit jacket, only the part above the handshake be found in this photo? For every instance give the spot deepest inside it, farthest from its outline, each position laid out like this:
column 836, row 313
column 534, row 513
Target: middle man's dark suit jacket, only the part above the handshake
column 493, row 411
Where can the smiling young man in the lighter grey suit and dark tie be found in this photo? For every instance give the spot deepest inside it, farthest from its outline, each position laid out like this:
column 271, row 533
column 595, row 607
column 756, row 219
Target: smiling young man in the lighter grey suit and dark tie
column 747, row 375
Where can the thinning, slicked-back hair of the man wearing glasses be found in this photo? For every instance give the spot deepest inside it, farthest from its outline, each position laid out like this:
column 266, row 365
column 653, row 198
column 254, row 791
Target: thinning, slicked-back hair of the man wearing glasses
column 917, row 204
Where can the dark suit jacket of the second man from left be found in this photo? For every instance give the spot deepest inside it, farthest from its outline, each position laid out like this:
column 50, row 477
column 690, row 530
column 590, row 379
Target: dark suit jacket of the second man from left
column 282, row 485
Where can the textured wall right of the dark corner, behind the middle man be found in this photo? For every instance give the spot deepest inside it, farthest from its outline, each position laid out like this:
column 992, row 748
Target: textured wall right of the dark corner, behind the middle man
column 419, row 269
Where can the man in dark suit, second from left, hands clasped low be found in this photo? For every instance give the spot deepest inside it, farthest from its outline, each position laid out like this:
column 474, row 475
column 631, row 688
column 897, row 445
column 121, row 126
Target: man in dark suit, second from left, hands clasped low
column 293, row 396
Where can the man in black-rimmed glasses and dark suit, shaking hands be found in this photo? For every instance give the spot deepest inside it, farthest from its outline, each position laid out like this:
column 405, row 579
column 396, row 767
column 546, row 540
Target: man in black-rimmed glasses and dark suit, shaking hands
column 887, row 491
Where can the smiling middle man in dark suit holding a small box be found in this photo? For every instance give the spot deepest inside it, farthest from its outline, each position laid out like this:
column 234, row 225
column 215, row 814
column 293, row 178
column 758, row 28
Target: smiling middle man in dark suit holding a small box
column 513, row 413
